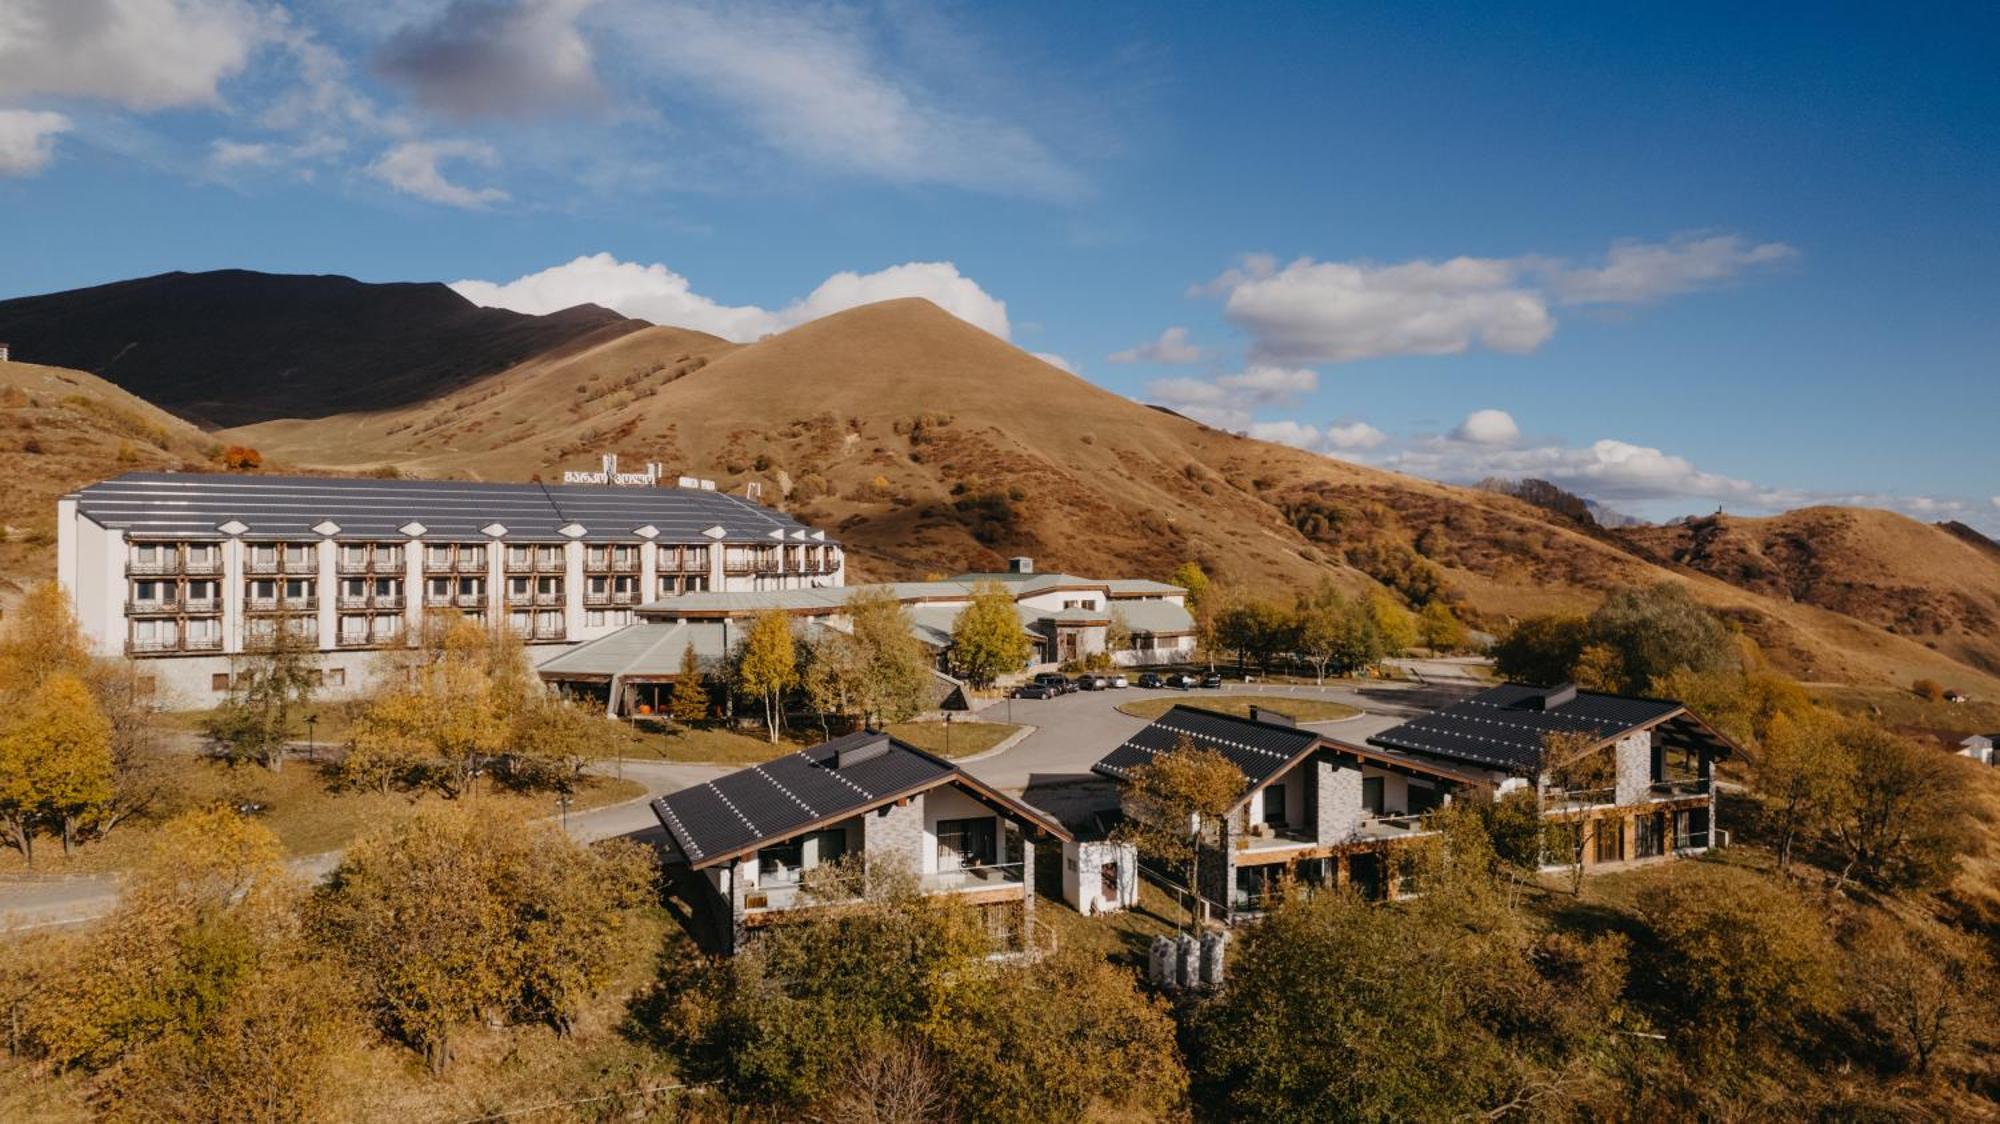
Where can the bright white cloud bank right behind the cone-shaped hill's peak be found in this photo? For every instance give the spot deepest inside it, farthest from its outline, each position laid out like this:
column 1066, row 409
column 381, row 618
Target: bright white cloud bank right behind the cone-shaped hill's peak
column 657, row 293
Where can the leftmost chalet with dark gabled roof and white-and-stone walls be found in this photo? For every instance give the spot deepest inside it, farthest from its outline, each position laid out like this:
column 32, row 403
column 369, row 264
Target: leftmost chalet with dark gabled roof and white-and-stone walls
column 745, row 847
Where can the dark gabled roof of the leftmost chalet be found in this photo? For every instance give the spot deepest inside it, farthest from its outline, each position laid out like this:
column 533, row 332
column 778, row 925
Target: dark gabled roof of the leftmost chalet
column 821, row 785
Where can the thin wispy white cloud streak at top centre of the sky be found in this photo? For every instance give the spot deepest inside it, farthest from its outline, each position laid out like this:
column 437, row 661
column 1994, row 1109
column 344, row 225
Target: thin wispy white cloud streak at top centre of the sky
column 813, row 85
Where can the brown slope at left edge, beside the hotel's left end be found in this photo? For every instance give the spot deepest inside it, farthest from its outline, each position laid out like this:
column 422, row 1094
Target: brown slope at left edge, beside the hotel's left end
column 59, row 431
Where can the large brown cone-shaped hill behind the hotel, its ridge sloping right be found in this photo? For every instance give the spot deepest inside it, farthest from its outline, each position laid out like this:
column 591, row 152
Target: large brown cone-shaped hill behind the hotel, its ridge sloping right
column 931, row 445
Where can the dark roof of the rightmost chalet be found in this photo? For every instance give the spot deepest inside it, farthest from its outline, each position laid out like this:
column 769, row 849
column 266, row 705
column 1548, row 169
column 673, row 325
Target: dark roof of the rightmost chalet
column 1507, row 725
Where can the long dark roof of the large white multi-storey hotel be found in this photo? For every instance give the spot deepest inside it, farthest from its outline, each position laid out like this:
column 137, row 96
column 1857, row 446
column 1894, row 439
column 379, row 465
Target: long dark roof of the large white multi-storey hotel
column 195, row 505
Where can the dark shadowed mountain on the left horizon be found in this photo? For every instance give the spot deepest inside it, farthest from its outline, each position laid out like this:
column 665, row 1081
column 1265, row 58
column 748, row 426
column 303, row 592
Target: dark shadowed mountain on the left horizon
column 237, row 347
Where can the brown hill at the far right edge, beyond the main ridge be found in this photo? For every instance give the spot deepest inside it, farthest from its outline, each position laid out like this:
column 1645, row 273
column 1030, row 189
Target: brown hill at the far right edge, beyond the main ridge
column 1905, row 577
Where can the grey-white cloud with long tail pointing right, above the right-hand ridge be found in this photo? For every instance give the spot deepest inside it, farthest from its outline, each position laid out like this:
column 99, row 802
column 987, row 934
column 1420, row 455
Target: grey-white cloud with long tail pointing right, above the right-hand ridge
column 1309, row 313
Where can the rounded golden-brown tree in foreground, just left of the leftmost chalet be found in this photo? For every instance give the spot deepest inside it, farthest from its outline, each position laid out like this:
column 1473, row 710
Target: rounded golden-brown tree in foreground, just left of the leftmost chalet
column 455, row 915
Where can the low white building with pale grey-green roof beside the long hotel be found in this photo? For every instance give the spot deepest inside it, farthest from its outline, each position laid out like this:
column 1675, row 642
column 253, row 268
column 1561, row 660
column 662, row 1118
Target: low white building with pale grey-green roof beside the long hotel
column 1063, row 615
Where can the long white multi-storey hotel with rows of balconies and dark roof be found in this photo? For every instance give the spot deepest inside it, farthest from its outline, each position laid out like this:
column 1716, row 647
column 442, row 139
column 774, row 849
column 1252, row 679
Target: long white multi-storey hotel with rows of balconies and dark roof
column 191, row 571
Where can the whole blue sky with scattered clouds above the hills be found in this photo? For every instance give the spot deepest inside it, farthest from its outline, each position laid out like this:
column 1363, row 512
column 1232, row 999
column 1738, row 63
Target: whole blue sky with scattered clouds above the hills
column 1673, row 259
